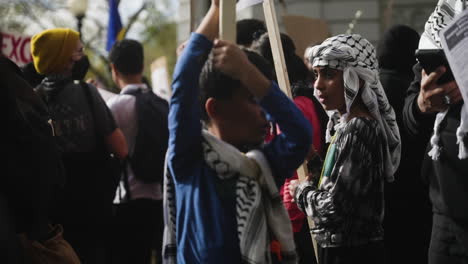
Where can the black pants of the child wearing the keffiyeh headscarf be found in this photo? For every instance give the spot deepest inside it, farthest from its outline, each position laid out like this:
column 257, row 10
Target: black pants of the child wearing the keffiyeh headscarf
column 366, row 254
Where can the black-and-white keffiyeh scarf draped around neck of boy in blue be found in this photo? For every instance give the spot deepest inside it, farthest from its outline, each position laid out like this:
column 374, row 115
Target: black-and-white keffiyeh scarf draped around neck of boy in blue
column 261, row 215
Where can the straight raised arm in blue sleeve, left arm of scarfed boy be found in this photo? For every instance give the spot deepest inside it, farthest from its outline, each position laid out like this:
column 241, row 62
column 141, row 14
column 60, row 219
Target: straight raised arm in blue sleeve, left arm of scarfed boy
column 184, row 114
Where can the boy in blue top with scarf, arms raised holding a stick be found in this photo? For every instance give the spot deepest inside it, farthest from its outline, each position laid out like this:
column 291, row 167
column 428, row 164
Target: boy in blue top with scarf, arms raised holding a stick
column 223, row 206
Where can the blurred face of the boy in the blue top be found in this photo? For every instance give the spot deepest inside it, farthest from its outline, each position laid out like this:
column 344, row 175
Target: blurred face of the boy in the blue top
column 243, row 119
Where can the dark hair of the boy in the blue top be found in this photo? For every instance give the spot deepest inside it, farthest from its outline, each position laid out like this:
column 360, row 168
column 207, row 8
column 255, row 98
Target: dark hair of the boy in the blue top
column 215, row 84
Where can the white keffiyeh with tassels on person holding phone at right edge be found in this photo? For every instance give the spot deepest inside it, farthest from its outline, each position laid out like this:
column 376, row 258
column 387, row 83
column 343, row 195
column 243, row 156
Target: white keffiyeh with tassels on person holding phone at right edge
column 443, row 14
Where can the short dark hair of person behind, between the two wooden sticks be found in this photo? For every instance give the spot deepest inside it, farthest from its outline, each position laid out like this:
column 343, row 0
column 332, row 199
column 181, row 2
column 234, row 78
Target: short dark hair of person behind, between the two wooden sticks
column 248, row 30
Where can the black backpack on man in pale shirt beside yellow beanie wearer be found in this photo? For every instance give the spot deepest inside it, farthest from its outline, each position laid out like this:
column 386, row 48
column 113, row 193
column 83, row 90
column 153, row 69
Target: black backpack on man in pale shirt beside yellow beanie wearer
column 149, row 153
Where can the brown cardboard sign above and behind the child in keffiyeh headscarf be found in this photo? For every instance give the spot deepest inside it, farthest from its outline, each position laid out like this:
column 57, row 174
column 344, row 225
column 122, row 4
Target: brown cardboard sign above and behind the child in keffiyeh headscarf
column 305, row 31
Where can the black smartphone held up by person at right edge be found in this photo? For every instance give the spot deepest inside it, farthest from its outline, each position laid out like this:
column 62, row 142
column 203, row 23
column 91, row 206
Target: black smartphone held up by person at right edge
column 431, row 59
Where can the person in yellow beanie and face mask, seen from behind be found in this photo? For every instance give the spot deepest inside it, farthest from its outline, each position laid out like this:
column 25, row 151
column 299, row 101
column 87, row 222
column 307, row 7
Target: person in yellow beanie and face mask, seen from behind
column 86, row 134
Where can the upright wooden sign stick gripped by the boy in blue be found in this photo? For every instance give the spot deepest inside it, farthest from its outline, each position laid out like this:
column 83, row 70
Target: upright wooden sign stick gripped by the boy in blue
column 227, row 20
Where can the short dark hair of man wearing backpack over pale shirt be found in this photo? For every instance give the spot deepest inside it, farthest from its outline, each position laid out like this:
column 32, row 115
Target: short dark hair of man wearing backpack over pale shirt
column 127, row 56
